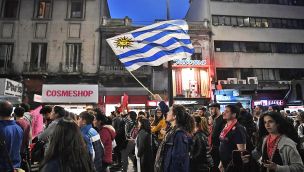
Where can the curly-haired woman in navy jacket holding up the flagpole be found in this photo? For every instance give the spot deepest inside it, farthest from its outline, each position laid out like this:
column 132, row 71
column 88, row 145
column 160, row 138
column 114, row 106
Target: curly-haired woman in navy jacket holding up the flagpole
column 173, row 152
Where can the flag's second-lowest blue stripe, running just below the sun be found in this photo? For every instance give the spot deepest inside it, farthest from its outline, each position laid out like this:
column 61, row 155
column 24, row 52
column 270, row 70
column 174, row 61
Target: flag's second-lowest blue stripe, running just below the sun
column 149, row 46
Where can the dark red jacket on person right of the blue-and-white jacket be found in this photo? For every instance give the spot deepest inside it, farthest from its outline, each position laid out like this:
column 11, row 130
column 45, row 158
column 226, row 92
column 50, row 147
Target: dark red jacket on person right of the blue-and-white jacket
column 107, row 135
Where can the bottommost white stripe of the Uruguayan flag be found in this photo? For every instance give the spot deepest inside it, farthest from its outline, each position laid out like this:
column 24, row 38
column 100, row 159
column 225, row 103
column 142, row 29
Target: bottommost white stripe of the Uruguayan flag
column 159, row 61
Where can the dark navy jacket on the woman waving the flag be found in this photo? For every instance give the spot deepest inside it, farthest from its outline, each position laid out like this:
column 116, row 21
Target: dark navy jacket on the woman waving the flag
column 177, row 152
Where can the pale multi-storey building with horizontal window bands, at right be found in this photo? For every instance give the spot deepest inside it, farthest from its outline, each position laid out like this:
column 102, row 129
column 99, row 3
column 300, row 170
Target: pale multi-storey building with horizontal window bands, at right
column 258, row 45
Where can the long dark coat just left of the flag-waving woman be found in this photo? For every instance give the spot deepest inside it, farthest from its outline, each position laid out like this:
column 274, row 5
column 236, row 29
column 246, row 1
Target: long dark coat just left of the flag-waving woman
column 144, row 147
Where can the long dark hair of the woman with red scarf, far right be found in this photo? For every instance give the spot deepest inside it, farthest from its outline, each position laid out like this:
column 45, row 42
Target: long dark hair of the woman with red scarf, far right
column 284, row 127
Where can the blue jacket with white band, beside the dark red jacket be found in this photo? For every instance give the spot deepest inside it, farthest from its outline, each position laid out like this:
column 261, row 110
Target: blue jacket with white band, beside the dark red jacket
column 94, row 145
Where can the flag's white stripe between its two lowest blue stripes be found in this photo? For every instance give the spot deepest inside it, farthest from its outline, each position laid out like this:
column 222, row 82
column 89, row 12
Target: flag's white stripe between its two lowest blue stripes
column 153, row 51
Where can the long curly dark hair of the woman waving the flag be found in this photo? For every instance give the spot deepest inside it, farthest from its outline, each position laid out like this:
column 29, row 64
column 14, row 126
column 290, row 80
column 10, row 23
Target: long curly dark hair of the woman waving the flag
column 183, row 119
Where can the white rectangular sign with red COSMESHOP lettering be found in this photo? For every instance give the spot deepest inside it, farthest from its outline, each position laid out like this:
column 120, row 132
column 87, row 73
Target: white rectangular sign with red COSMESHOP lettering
column 69, row 93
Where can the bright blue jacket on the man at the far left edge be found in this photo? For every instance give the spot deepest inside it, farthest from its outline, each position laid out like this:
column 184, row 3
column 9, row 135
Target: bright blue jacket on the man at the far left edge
column 13, row 135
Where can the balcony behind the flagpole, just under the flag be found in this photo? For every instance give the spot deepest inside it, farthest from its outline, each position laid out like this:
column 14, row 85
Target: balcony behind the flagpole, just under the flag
column 121, row 70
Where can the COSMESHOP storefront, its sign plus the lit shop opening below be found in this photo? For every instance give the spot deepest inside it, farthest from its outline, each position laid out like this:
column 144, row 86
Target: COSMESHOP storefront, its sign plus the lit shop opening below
column 74, row 98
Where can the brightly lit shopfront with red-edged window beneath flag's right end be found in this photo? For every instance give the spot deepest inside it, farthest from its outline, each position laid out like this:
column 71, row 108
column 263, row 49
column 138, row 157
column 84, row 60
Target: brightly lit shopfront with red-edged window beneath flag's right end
column 192, row 77
